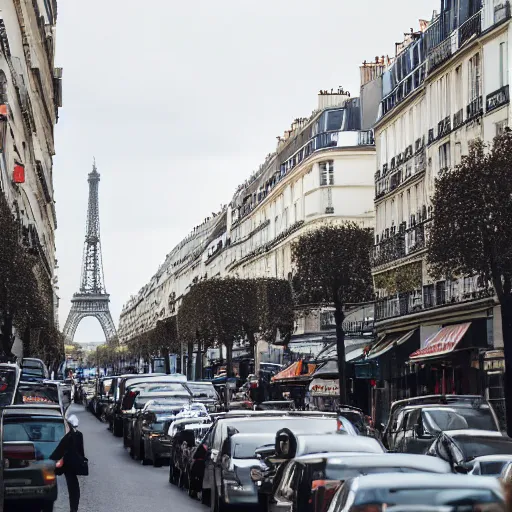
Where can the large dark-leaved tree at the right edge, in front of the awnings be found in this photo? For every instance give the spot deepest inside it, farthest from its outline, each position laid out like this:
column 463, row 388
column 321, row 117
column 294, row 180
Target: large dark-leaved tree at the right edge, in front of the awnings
column 471, row 232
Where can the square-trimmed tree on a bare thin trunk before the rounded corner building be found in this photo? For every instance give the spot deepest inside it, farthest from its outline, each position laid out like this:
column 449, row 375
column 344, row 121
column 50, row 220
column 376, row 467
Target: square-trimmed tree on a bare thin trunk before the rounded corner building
column 333, row 267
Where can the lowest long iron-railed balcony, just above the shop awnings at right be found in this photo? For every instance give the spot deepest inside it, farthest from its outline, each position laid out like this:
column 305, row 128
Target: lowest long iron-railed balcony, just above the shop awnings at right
column 442, row 293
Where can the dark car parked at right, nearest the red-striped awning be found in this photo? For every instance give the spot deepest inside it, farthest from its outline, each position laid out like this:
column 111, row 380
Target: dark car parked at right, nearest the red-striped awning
column 416, row 422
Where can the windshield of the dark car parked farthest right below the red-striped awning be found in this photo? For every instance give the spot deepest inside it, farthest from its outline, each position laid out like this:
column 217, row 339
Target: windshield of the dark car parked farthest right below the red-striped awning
column 460, row 418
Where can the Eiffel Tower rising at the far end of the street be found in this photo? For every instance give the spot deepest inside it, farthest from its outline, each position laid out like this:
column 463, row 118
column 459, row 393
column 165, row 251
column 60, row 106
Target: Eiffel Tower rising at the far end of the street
column 92, row 299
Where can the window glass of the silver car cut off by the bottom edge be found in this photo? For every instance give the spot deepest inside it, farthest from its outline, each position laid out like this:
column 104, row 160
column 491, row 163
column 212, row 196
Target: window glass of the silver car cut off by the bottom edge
column 453, row 497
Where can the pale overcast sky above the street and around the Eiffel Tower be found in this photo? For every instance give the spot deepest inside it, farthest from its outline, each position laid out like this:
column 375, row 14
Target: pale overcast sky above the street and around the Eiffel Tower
column 179, row 102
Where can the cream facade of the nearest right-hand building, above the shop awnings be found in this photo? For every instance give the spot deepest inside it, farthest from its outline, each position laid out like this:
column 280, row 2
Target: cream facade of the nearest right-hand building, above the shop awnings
column 463, row 96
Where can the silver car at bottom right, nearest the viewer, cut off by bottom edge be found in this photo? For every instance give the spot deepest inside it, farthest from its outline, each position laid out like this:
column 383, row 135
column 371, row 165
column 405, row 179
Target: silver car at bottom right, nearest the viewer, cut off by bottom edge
column 382, row 492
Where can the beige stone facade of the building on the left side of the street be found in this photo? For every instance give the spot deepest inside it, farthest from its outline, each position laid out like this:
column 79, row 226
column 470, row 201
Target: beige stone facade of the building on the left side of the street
column 31, row 89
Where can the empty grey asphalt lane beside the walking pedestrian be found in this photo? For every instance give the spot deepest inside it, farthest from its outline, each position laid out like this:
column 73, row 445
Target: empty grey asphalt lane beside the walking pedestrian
column 116, row 483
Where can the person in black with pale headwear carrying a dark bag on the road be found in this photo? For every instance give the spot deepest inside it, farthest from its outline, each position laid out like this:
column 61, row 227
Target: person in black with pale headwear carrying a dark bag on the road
column 70, row 453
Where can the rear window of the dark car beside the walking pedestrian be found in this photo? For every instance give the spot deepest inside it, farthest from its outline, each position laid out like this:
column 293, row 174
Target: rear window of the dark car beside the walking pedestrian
column 45, row 433
